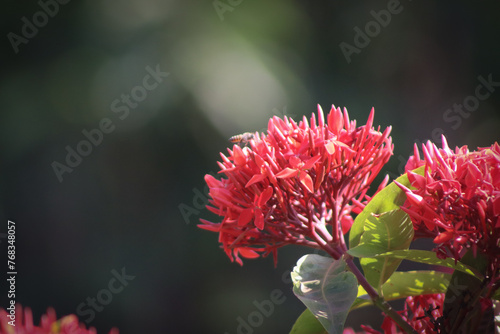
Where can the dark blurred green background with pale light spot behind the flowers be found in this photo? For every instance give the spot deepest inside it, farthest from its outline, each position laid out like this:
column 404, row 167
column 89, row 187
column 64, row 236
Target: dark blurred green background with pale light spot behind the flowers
column 231, row 66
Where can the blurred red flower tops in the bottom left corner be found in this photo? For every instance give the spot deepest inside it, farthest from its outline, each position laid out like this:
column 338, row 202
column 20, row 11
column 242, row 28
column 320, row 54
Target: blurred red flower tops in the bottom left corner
column 48, row 323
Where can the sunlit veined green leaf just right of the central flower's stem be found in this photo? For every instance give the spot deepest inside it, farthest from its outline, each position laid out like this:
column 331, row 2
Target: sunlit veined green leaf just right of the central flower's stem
column 392, row 230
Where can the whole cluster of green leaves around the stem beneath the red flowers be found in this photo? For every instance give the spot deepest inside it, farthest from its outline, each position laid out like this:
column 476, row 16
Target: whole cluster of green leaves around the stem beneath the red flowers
column 380, row 237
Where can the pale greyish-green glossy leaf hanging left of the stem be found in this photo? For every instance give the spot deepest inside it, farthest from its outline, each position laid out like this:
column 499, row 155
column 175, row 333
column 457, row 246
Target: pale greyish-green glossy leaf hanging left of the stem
column 327, row 290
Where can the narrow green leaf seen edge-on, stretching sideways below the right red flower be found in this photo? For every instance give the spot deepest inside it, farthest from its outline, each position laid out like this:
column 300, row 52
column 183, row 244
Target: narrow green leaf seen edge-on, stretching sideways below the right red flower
column 431, row 258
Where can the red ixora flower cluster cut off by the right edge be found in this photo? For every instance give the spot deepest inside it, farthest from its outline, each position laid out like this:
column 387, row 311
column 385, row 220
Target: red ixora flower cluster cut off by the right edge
column 457, row 201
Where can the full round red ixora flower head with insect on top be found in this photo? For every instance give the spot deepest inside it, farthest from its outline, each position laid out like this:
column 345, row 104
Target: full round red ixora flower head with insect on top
column 296, row 184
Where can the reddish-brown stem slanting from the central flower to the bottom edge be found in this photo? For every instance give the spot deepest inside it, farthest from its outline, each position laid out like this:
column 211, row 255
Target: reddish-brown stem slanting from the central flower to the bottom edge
column 376, row 299
